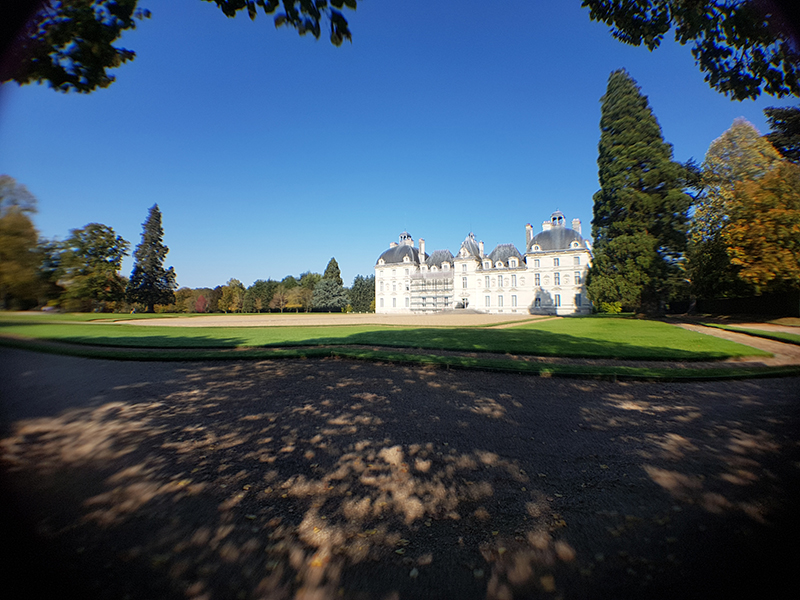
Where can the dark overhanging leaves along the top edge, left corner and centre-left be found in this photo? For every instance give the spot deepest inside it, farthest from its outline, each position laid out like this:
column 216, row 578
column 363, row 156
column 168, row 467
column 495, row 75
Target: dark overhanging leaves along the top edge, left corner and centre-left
column 70, row 44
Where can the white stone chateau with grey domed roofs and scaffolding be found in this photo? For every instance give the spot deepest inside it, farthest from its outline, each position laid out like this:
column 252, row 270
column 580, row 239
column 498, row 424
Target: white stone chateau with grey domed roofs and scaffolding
column 547, row 279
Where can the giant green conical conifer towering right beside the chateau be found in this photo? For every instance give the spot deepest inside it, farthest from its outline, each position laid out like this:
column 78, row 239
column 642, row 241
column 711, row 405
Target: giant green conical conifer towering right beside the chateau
column 639, row 220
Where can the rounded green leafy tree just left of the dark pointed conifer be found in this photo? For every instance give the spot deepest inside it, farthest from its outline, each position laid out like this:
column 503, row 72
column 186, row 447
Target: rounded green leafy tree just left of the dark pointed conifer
column 90, row 265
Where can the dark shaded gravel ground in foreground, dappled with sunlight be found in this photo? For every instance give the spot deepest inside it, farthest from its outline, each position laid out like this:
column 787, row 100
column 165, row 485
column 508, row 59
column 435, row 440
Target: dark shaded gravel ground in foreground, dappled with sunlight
column 323, row 479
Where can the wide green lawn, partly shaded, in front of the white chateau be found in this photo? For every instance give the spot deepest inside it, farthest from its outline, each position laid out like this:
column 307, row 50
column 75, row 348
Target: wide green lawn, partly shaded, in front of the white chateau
column 619, row 338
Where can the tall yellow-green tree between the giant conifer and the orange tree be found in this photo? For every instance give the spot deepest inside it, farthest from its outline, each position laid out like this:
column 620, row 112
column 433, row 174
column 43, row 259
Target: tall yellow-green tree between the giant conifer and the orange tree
column 738, row 155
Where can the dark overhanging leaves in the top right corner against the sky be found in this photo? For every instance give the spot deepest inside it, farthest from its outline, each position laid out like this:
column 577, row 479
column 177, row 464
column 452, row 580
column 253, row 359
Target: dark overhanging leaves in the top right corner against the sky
column 743, row 47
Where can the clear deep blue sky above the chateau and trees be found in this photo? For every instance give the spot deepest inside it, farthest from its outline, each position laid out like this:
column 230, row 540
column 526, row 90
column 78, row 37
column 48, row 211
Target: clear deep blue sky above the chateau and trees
column 269, row 153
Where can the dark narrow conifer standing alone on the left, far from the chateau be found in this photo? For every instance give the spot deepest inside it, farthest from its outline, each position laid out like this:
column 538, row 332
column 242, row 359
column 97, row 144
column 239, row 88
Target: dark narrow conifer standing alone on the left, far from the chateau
column 150, row 282
